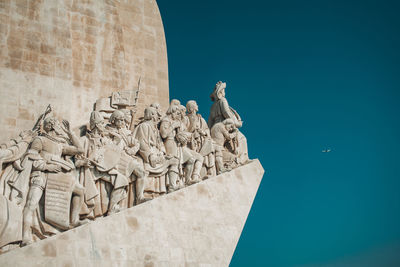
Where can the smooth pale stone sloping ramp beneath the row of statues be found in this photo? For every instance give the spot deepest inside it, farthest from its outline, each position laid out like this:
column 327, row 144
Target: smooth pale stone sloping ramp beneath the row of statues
column 199, row 225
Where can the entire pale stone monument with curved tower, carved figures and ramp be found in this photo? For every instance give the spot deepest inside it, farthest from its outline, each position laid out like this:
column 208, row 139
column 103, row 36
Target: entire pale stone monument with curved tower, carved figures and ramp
column 101, row 175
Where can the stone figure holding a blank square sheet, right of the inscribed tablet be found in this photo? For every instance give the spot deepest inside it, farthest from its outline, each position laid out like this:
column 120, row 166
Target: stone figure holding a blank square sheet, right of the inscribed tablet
column 105, row 185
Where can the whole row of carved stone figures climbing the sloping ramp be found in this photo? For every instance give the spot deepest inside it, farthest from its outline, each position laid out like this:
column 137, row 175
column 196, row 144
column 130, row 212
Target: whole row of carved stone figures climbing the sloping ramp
column 52, row 180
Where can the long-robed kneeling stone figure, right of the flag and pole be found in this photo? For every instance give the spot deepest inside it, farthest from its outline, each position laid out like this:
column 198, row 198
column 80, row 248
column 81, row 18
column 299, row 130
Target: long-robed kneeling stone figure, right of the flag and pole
column 163, row 169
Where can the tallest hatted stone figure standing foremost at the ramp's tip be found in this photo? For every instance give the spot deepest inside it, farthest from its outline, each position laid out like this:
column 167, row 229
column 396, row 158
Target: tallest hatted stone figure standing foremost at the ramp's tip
column 220, row 110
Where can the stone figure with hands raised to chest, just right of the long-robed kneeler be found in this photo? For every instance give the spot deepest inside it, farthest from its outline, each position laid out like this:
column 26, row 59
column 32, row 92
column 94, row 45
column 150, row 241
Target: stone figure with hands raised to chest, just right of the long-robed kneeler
column 175, row 137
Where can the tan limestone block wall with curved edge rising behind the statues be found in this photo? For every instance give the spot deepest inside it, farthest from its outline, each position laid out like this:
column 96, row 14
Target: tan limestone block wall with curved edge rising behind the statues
column 71, row 52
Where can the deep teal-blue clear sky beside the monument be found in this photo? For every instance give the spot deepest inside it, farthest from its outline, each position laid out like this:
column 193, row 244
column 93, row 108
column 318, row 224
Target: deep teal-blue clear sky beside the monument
column 304, row 76
